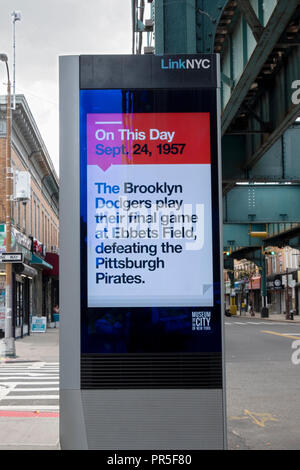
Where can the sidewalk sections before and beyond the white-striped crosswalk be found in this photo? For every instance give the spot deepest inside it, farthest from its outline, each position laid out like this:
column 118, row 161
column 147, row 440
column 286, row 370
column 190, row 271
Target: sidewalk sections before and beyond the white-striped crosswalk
column 21, row 430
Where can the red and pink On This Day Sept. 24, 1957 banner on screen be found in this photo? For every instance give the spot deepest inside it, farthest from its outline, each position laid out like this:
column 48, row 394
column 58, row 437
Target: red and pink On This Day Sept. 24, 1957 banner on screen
column 148, row 139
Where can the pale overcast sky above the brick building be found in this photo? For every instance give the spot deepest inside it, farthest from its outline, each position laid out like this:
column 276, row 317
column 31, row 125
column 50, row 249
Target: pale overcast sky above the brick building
column 48, row 29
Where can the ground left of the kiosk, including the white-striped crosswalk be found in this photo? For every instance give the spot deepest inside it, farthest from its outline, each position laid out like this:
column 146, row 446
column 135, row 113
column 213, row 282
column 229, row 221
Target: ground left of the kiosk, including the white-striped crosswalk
column 29, row 394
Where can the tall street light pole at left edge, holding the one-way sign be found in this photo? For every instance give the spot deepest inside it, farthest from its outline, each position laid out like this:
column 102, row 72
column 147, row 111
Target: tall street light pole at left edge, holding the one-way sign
column 8, row 349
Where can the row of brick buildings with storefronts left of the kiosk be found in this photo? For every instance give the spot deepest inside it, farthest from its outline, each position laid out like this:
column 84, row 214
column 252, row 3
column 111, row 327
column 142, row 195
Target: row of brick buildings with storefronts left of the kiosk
column 35, row 221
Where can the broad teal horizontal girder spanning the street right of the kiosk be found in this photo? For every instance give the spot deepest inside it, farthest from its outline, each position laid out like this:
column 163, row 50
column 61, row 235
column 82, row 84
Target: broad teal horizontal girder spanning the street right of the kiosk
column 262, row 204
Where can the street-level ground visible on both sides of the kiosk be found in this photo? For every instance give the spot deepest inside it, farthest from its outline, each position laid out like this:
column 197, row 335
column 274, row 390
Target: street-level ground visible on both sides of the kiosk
column 262, row 387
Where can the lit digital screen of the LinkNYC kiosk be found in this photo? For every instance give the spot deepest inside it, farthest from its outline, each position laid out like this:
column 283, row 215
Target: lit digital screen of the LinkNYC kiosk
column 149, row 231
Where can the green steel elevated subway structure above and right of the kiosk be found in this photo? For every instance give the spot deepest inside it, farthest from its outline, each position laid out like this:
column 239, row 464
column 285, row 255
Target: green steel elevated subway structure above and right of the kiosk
column 258, row 42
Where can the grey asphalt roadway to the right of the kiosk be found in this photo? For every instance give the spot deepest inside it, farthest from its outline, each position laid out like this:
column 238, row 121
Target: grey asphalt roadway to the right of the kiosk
column 262, row 383
